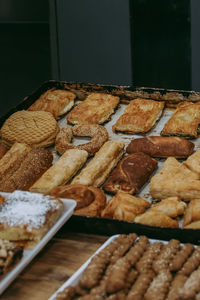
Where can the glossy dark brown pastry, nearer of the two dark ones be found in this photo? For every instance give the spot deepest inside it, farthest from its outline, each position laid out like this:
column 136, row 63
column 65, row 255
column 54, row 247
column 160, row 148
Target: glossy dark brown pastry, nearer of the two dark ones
column 131, row 174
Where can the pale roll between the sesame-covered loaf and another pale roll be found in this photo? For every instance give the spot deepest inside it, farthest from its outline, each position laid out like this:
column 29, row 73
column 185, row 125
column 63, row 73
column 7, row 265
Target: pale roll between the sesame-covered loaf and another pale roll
column 61, row 172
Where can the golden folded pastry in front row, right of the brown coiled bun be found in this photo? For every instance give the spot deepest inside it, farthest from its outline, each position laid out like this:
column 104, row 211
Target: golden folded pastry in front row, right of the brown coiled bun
column 124, row 206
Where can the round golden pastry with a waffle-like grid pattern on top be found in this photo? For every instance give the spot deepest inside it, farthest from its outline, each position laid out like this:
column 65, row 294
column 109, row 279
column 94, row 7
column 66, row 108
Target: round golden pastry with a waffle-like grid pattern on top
column 35, row 128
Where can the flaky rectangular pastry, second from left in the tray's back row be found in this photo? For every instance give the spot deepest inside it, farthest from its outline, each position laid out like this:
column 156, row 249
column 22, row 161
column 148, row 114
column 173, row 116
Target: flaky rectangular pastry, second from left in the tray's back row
column 95, row 109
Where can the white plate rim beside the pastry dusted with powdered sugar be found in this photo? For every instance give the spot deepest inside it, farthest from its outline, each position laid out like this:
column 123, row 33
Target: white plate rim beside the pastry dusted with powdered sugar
column 28, row 255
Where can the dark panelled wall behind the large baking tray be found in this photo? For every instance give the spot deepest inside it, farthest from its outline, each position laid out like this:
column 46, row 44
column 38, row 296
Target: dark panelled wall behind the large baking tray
column 141, row 42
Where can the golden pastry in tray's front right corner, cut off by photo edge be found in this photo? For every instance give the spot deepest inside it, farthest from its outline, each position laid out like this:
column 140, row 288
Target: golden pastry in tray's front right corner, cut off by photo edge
column 192, row 212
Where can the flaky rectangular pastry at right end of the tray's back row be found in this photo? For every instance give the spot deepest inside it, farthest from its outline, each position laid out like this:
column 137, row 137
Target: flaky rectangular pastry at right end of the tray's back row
column 184, row 121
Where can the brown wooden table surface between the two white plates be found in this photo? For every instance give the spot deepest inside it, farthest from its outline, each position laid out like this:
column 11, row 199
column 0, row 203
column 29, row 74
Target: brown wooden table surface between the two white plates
column 58, row 260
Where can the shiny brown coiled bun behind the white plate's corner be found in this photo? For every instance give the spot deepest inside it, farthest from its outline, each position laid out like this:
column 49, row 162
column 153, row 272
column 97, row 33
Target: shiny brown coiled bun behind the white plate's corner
column 90, row 200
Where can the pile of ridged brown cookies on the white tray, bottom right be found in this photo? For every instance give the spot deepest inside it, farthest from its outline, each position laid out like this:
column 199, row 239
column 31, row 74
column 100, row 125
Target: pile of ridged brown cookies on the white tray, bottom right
column 134, row 267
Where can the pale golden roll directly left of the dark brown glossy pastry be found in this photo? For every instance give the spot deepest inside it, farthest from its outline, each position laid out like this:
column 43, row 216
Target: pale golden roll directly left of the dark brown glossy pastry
column 99, row 167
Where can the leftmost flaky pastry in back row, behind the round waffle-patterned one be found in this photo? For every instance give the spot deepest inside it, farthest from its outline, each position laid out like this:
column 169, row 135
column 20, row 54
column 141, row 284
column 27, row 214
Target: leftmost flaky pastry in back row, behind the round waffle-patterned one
column 58, row 102
